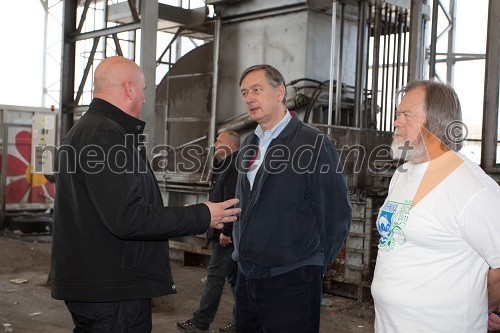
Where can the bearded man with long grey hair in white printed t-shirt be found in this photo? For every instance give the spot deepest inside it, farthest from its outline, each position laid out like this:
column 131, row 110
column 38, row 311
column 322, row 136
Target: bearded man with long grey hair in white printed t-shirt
column 439, row 252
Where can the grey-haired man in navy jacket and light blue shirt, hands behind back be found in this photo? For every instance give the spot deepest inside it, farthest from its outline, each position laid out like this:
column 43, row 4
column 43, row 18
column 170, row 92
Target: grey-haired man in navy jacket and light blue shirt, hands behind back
column 295, row 213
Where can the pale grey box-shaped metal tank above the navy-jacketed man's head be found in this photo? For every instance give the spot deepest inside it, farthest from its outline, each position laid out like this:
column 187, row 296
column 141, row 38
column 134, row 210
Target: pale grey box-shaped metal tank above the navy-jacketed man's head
column 293, row 36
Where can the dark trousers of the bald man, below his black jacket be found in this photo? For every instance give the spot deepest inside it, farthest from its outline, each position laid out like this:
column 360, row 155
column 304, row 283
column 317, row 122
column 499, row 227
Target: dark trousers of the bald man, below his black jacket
column 113, row 317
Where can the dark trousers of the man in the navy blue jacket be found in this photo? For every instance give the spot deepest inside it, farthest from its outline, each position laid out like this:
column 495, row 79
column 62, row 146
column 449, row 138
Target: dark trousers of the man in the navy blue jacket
column 287, row 303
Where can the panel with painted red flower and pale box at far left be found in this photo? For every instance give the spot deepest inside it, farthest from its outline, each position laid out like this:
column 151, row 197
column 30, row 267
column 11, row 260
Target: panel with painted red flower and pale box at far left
column 26, row 192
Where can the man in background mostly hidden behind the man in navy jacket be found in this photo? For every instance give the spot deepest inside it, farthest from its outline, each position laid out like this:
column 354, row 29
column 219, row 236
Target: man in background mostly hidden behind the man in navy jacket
column 221, row 264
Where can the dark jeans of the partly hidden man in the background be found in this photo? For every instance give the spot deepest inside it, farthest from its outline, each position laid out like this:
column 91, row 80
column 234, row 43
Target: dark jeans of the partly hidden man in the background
column 221, row 267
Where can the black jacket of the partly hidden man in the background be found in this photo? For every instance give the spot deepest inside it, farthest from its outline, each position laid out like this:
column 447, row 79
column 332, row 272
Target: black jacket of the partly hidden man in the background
column 223, row 188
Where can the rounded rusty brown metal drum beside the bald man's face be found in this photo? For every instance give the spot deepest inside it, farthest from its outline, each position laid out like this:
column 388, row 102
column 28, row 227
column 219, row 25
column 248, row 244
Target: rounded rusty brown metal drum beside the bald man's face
column 184, row 98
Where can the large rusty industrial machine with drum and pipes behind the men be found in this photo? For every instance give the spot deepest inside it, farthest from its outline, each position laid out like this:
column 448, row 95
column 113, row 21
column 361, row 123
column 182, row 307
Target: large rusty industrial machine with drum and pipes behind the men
column 297, row 38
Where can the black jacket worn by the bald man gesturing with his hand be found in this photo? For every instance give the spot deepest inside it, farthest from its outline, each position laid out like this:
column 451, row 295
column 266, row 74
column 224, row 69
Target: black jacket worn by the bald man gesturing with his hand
column 111, row 229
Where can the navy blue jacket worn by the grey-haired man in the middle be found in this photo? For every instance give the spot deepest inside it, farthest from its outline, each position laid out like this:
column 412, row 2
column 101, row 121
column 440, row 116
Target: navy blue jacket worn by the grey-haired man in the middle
column 299, row 204
